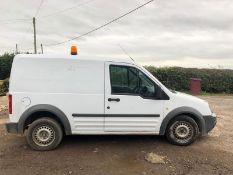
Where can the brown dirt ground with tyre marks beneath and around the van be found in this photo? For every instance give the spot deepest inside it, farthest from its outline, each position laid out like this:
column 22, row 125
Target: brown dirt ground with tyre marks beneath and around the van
column 110, row 155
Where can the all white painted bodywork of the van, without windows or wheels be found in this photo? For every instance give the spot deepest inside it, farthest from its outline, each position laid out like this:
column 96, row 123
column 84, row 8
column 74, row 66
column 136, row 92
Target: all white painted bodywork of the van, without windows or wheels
column 76, row 84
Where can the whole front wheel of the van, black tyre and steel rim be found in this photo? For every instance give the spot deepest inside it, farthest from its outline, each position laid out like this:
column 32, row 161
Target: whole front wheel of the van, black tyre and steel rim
column 183, row 130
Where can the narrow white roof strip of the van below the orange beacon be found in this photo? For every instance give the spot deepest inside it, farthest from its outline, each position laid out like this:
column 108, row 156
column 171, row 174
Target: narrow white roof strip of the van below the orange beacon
column 89, row 58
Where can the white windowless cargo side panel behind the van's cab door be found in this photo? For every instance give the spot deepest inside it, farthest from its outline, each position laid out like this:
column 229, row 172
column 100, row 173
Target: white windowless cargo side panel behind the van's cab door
column 73, row 86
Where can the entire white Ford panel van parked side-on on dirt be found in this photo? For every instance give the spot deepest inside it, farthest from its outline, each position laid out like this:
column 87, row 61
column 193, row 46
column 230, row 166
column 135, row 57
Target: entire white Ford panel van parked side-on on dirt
column 52, row 96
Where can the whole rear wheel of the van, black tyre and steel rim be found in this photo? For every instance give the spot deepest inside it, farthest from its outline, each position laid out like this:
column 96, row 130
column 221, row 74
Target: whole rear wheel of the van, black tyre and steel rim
column 44, row 134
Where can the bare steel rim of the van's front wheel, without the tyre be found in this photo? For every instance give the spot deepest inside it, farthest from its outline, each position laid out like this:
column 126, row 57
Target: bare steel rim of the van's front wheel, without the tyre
column 183, row 130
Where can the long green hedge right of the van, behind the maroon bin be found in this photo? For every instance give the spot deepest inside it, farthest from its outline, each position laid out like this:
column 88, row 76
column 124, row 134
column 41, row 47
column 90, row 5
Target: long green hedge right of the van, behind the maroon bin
column 212, row 80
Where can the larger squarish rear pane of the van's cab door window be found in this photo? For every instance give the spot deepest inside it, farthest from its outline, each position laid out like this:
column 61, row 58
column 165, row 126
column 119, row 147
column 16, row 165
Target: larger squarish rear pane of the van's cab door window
column 124, row 80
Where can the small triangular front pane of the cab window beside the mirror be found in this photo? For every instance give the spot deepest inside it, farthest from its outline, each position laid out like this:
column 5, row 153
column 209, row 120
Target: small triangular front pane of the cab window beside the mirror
column 147, row 88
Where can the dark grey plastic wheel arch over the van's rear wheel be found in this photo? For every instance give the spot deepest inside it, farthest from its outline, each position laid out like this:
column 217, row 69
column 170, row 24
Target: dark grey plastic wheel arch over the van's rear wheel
column 34, row 112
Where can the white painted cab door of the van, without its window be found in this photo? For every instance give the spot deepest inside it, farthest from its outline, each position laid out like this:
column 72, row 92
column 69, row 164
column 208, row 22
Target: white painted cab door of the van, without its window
column 130, row 104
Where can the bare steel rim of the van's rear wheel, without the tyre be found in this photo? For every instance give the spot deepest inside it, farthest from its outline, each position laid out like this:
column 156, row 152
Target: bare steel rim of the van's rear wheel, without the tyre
column 43, row 135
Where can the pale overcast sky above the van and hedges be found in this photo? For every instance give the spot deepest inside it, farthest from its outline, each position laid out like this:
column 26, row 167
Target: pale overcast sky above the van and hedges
column 186, row 33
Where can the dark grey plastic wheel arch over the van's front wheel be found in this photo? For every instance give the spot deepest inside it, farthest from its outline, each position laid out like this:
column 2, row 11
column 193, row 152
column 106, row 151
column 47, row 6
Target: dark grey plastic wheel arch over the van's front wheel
column 193, row 113
